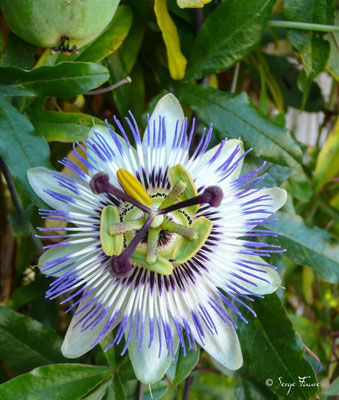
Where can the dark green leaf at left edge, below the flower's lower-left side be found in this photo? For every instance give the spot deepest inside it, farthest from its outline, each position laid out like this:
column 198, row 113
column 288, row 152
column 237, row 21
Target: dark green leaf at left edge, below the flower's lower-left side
column 26, row 343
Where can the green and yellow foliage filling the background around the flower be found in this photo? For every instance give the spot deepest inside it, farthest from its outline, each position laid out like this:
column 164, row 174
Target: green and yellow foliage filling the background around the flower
column 236, row 63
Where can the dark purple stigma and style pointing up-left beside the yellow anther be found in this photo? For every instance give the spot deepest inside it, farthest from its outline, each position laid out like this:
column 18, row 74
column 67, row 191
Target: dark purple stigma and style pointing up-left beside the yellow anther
column 100, row 184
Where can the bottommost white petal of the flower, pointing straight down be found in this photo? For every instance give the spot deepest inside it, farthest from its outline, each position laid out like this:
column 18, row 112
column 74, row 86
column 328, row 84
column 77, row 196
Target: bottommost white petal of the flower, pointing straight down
column 149, row 367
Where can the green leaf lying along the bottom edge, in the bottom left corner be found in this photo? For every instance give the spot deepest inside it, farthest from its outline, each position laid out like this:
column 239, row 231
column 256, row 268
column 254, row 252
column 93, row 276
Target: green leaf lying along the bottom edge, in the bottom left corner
column 59, row 381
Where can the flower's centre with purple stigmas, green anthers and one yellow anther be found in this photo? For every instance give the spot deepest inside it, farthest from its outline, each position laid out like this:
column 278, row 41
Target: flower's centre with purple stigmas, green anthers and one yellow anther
column 155, row 233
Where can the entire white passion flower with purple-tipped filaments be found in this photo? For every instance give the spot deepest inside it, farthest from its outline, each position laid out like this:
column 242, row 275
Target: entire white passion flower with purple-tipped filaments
column 160, row 245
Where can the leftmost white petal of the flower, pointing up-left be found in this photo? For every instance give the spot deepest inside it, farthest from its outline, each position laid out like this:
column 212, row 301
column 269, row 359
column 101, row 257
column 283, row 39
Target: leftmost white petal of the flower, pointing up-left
column 41, row 179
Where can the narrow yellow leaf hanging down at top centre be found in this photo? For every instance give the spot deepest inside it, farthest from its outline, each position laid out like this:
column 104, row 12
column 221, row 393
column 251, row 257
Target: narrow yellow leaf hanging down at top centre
column 176, row 60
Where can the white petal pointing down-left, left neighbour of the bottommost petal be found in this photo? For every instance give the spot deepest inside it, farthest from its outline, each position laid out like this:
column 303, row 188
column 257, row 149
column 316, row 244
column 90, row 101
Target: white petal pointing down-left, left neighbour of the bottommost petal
column 77, row 343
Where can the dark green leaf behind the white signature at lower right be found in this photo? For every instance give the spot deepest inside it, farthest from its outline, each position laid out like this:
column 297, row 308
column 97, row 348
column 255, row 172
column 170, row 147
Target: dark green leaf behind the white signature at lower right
column 273, row 351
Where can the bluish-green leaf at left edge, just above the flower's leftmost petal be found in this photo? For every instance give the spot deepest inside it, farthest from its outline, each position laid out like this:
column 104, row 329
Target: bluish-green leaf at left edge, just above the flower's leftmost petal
column 19, row 141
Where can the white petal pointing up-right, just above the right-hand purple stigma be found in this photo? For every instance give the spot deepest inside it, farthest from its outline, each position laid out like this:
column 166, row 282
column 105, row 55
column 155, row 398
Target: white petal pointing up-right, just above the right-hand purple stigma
column 206, row 174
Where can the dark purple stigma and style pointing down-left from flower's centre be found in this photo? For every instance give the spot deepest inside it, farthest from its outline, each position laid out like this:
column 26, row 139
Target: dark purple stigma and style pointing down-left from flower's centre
column 121, row 265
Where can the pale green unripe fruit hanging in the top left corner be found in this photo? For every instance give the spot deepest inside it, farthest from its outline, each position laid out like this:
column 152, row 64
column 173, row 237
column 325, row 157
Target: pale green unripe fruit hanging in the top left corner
column 45, row 22
